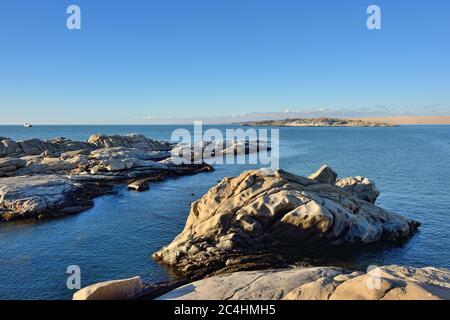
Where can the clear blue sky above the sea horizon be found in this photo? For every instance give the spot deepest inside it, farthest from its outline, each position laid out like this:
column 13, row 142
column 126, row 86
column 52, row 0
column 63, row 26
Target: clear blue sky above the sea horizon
column 136, row 60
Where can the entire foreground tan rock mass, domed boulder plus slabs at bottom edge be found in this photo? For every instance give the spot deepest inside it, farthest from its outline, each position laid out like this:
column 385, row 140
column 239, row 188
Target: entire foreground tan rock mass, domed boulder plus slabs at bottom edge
column 238, row 239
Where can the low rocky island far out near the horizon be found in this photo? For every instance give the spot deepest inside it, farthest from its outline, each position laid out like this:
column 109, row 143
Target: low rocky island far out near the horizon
column 317, row 122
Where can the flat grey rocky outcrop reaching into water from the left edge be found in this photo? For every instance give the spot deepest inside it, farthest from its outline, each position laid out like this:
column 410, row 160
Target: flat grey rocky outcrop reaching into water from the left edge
column 46, row 179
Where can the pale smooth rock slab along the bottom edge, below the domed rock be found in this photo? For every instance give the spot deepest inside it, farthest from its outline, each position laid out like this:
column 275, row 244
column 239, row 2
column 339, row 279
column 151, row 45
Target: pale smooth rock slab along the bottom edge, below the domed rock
column 321, row 283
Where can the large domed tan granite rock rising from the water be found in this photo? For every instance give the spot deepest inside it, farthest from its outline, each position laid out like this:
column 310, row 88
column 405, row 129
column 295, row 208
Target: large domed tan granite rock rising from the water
column 267, row 211
